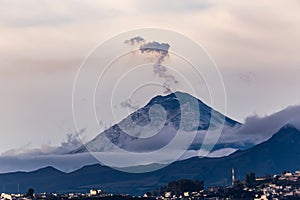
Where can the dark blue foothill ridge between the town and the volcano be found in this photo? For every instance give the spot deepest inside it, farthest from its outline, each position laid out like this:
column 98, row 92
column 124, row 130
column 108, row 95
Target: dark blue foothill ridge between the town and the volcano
column 279, row 153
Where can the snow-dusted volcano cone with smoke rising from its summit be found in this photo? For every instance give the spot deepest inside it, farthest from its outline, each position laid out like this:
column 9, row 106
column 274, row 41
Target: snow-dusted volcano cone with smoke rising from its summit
column 178, row 106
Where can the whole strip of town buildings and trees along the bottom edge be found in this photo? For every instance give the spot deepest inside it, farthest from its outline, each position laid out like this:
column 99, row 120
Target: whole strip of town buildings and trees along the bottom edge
column 268, row 187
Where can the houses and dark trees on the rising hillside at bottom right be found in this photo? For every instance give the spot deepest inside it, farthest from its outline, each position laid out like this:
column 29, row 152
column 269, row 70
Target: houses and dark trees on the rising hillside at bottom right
column 279, row 187
